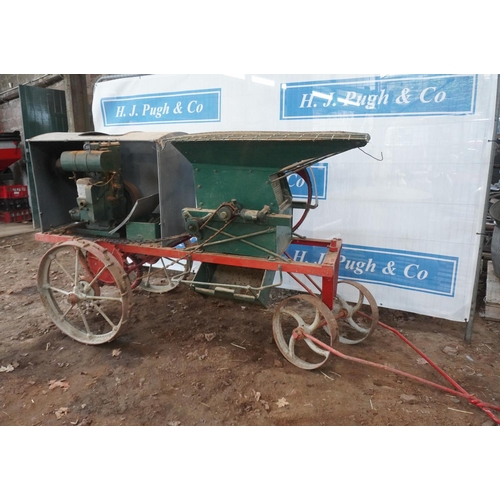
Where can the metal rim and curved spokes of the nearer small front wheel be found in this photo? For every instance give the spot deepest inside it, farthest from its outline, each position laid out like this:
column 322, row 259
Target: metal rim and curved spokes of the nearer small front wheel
column 323, row 320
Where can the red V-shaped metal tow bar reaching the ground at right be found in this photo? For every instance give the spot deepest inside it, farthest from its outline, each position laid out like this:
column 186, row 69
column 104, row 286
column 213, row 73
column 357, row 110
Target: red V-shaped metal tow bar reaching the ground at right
column 300, row 334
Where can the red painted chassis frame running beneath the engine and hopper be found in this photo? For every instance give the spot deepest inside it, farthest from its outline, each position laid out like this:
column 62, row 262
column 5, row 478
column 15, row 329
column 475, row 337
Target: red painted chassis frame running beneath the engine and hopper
column 328, row 270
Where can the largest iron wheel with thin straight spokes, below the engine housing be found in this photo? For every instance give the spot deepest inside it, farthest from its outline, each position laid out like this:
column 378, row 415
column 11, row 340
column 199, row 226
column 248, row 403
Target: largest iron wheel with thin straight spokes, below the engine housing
column 90, row 304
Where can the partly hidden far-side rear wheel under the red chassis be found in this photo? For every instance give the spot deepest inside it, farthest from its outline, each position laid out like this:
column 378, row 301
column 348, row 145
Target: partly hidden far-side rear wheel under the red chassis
column 160, row 277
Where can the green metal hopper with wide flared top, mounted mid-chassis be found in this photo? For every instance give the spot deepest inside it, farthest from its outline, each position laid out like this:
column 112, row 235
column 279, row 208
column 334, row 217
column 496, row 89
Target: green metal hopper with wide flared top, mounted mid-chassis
column 244, row 204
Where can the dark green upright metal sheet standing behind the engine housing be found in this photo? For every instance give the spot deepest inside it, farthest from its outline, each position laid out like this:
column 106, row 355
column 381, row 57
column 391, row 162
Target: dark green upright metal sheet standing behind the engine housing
column 43, row 111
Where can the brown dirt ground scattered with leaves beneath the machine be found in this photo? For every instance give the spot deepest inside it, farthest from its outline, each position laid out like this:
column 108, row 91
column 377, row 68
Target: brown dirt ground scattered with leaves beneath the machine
column 186, row 360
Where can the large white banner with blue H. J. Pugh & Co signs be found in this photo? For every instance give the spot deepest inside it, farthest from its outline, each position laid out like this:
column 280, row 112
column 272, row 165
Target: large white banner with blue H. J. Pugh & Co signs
column 410, row 215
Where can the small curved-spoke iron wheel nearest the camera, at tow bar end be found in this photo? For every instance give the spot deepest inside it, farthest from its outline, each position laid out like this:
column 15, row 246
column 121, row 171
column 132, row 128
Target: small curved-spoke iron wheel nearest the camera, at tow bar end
column 304, row 313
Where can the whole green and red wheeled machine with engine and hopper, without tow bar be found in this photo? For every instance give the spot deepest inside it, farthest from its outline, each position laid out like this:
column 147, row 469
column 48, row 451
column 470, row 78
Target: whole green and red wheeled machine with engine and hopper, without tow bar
column 138, row 210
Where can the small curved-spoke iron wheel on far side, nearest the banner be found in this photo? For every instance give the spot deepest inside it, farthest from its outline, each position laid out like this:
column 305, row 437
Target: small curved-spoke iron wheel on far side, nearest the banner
column 358, row 319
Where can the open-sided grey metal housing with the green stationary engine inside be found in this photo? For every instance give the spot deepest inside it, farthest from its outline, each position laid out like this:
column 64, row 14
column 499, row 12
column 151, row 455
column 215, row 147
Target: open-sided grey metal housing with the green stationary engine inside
column 131, row 186
